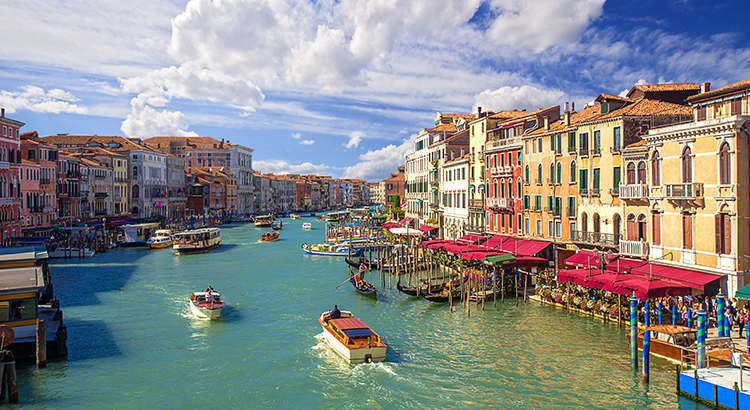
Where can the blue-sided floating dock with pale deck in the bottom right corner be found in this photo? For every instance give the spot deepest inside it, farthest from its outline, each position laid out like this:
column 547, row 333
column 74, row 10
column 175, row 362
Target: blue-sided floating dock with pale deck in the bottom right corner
column 718, row 387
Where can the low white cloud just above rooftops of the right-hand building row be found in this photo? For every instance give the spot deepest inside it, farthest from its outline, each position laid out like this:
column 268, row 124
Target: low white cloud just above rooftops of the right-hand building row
column 509, row 98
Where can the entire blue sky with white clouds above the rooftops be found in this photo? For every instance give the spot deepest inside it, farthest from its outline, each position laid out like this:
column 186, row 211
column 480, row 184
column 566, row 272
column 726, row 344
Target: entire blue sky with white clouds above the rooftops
column 342, row 87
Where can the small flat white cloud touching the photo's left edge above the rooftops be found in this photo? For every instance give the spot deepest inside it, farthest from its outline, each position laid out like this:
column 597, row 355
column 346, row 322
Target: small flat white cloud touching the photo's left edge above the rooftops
column 35, row 99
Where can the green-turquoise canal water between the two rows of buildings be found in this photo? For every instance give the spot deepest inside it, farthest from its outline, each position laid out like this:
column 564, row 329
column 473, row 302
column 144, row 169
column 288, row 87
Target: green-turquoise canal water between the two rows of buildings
column 134, row 344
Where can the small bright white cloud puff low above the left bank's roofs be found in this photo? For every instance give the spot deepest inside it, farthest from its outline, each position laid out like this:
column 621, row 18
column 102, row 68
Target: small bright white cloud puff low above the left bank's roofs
column 144, row 121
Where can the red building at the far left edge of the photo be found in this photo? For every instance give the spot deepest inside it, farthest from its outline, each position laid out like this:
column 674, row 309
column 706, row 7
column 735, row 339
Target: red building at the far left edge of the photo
column 10, row 186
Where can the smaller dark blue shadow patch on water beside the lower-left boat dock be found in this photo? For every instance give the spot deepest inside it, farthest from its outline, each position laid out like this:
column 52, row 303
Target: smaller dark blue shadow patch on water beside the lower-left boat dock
column 90, row 339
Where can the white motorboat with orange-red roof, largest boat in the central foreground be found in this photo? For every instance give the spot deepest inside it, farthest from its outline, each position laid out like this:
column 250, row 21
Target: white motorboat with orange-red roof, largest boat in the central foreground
column 352, row 339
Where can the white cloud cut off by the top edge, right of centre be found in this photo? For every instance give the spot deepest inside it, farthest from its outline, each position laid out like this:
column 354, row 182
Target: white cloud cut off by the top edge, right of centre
column 539, row 24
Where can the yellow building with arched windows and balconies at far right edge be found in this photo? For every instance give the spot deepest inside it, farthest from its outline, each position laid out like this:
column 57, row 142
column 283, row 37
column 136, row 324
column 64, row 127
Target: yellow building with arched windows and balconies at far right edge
column 699, row 180
